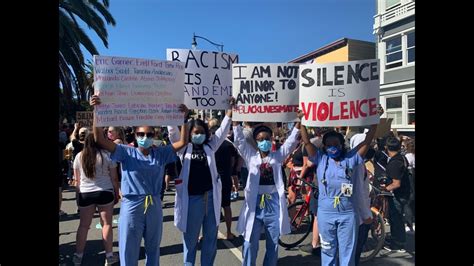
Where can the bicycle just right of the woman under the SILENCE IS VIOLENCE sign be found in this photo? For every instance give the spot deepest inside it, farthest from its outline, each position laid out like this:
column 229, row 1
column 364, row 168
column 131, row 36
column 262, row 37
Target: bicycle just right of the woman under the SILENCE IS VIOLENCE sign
column 379, row 208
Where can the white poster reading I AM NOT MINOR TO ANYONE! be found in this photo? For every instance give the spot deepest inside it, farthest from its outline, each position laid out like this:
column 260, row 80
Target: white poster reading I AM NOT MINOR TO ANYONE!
column 265, row 92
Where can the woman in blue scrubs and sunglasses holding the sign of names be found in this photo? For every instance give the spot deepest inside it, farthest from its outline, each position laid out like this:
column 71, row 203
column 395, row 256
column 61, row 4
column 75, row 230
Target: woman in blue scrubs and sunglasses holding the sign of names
column 141, row 215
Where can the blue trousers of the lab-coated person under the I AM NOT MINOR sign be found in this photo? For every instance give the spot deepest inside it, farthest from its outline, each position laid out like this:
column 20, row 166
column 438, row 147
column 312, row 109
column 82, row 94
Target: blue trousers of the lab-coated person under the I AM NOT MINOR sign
column 268, row 218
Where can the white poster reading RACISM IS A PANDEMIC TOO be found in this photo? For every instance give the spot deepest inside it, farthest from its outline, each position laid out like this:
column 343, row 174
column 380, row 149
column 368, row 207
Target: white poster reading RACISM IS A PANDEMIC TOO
column 208, row 77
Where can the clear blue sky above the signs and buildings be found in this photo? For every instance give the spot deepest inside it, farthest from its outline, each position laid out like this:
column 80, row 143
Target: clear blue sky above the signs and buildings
column 259, row 31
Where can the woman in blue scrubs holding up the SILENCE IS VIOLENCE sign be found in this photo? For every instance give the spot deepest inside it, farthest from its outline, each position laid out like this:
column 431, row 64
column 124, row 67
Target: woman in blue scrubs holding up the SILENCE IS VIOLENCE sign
column 337, row 216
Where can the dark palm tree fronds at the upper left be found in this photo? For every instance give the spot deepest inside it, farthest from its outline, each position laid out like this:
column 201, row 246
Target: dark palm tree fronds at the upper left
column 72, row 75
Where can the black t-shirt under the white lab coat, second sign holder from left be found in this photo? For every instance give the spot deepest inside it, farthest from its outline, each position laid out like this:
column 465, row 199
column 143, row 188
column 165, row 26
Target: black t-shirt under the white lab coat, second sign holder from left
column 200, row 179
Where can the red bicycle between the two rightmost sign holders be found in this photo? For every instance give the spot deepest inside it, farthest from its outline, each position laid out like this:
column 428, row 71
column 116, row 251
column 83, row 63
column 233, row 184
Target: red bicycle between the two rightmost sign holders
column 302, row 222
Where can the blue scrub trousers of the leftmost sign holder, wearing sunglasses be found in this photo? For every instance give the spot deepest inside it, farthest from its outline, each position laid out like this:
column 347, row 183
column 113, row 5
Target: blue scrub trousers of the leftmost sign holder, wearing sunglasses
column 135, row 224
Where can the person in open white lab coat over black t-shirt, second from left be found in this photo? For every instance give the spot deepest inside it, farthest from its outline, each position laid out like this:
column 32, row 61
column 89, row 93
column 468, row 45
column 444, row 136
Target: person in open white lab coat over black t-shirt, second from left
column 199, row 189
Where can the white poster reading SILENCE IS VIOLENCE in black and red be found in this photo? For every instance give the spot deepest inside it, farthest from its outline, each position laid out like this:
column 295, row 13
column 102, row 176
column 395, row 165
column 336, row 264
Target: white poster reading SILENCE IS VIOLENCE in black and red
column 340, row 94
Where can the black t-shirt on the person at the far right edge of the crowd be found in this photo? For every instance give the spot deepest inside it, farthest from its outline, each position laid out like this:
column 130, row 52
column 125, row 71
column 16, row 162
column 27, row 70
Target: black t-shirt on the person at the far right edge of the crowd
column 396, row 169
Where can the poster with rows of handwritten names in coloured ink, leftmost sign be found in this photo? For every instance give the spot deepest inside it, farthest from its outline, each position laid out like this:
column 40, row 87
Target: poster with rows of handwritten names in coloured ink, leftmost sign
column 136, row 92
